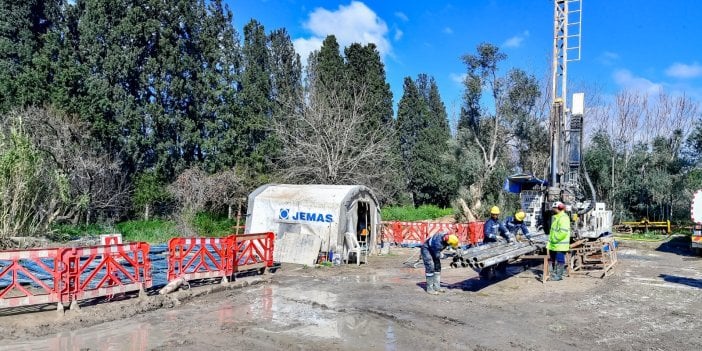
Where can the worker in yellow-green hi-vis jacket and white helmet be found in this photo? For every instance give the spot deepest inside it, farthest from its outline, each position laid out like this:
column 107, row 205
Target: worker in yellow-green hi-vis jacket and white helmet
column 558, row 240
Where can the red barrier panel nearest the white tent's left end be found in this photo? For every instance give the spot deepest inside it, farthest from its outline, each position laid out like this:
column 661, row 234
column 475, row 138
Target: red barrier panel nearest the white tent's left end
column 253, row 251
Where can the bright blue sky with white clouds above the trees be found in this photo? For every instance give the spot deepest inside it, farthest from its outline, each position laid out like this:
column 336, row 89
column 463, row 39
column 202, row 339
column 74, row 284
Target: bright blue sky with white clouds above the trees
column 642, row 45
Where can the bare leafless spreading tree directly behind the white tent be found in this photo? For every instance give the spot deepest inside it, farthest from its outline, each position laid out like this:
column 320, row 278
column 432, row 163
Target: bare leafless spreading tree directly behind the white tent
column 327, row 144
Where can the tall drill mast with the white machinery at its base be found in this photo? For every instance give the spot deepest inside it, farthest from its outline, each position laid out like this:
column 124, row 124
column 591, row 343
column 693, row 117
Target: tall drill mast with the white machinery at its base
column 590, row 219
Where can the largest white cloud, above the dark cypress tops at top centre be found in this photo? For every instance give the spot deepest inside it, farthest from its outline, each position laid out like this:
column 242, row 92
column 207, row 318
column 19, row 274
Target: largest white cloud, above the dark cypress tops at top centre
column 355, row 23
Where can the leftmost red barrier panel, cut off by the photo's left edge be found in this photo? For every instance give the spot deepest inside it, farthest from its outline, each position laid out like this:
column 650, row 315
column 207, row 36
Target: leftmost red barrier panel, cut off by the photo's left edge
column 14, row 265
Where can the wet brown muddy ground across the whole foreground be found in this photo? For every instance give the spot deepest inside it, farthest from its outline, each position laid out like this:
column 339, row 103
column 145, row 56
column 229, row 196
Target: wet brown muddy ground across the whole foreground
column 652, row 301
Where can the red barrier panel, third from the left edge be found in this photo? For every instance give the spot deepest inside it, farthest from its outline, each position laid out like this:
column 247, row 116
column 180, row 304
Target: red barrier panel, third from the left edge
column 198, row 258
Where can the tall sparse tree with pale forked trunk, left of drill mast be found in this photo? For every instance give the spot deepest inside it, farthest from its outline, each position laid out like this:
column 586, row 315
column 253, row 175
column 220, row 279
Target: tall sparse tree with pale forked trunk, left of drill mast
column 488, row 130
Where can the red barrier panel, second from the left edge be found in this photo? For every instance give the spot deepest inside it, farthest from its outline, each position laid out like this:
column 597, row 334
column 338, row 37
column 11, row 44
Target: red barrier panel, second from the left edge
column 106, row 269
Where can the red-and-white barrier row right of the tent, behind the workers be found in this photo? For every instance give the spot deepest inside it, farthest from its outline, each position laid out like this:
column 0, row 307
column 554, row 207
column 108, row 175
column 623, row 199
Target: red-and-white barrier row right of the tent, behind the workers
column 409, row 233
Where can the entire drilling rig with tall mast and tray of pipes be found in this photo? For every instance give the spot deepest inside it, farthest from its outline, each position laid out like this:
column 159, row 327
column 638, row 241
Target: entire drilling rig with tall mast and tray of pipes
column 593, row 249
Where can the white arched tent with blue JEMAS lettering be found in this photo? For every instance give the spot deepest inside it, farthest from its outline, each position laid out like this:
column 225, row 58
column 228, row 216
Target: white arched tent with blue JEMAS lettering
column 327, row 211
